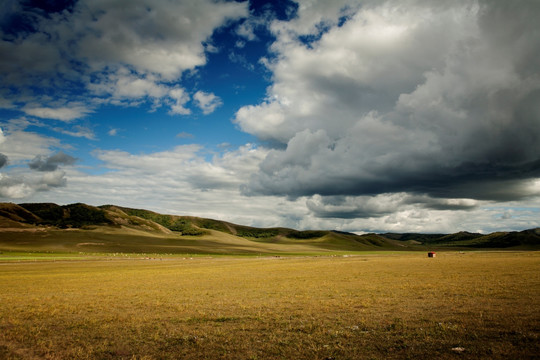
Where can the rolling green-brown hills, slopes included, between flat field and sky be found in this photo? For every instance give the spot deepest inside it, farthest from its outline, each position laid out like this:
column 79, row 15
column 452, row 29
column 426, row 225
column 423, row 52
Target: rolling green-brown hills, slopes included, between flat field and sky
column 109, row 228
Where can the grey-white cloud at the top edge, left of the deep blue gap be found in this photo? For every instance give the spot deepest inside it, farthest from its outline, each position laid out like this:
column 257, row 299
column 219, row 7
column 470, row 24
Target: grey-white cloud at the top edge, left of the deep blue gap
column 167, row 39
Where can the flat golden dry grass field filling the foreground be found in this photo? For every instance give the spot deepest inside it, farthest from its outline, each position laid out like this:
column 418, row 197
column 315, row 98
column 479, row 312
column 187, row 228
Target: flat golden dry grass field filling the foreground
column 374, row 306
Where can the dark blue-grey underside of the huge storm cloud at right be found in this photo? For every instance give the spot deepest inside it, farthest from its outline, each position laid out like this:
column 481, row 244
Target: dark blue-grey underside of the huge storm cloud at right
column 483, row 181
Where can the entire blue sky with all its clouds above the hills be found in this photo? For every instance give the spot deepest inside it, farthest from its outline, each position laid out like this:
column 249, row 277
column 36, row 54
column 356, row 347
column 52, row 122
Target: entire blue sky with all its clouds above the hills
column 361, row 116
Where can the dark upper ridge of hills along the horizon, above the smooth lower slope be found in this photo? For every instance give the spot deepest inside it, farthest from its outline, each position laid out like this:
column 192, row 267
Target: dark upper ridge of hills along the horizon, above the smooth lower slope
column 109, row 219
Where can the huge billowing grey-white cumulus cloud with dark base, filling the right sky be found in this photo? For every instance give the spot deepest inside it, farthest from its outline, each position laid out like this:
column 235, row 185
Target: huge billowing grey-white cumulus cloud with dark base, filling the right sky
column 429, row 99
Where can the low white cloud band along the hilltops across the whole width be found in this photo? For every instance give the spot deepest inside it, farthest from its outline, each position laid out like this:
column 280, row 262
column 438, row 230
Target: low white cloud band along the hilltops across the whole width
column 181, row 181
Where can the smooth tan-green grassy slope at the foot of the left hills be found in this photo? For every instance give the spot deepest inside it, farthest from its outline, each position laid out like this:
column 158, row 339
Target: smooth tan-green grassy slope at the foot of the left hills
column 114, row 240
